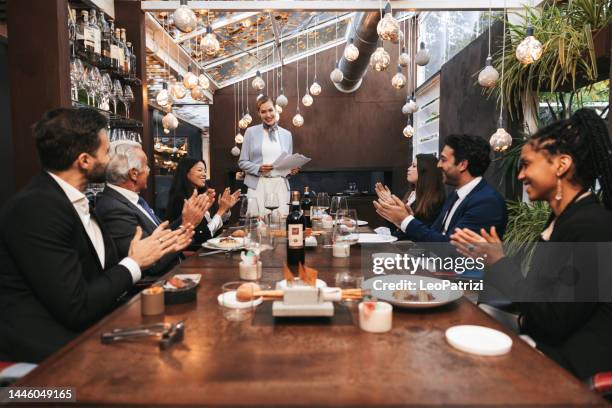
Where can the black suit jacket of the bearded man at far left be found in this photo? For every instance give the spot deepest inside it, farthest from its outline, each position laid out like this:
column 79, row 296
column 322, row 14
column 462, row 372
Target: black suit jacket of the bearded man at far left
column 52, row 285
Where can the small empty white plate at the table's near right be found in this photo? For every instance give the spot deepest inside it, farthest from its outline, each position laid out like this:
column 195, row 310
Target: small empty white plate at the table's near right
column 479, row 340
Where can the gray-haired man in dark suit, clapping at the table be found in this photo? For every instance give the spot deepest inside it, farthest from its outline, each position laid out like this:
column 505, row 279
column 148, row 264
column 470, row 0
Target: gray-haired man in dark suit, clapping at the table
column 121, row 209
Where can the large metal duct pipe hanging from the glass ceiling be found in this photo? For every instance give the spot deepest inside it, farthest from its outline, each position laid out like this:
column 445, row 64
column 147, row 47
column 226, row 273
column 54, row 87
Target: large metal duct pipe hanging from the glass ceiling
column 365, row 38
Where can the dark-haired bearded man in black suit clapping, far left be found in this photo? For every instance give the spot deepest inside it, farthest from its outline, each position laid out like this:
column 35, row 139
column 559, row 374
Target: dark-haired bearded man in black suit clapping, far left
column 59, row 270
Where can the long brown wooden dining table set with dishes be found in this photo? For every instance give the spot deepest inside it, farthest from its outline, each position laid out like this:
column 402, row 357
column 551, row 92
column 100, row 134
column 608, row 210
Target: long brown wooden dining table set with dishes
column 263, row 361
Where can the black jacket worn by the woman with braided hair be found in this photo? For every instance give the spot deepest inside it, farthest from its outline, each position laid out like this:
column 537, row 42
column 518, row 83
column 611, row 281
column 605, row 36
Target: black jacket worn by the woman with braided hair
column 573, row 265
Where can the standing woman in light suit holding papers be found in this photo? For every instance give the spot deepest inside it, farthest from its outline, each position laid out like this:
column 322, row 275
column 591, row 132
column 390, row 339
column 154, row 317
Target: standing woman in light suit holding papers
column 262, row 145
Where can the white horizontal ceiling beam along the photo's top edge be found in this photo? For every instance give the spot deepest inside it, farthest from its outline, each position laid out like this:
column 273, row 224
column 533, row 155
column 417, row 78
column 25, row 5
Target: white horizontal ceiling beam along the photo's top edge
column 335, row 5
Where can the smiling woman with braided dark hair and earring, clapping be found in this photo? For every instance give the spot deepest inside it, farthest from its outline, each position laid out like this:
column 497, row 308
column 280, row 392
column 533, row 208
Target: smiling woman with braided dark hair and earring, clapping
column 562, row 300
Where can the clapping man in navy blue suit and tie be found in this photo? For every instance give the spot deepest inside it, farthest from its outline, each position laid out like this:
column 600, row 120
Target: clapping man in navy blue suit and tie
column 474, row 204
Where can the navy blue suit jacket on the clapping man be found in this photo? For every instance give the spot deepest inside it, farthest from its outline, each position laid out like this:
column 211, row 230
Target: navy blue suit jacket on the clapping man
column 483, row 207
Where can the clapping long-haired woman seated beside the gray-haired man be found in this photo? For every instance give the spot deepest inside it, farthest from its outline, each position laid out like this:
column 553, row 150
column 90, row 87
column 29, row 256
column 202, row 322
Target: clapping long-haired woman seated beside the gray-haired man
column 190, row 177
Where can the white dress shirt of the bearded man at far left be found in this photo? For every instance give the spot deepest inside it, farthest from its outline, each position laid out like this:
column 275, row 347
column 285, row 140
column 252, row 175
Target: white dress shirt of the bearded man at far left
column 81, row 205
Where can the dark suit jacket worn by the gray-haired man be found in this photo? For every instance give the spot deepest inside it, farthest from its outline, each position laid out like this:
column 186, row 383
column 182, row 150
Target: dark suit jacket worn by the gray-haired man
column 120, row 218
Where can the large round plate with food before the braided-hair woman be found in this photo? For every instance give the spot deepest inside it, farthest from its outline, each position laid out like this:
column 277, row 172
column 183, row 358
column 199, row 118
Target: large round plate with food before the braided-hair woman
column 441, row 296
